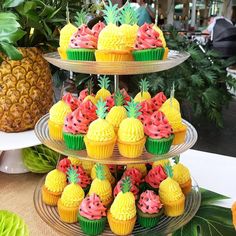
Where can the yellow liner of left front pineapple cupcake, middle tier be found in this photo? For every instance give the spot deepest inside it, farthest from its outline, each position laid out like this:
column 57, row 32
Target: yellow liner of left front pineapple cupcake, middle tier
column 99, row 150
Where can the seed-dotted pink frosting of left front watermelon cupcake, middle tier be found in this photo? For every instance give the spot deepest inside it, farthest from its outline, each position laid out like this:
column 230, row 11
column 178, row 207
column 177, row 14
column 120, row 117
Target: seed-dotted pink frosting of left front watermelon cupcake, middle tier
column 76, row 123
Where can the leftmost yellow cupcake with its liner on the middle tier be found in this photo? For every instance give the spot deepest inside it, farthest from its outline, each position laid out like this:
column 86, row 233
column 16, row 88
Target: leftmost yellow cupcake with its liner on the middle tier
column 57, row 115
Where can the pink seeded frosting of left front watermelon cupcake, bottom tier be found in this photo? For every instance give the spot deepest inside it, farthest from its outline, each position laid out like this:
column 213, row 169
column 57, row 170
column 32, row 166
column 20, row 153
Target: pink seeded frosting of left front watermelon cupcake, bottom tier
column 92, row 208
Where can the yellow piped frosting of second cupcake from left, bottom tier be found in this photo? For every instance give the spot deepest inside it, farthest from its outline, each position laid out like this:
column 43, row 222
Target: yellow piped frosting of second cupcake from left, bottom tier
column 72, row 195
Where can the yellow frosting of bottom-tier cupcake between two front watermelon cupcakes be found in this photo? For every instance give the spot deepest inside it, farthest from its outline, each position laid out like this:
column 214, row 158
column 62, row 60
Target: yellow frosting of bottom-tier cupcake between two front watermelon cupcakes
column 123, row 207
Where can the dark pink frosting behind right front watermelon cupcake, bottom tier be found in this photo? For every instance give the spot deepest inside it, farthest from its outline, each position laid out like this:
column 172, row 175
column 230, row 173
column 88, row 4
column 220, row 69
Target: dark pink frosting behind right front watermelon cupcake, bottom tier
column 155, row 176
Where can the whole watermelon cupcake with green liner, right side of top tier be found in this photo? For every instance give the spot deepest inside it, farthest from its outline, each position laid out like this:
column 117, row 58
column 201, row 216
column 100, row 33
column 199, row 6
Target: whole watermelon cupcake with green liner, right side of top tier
column 148, row 46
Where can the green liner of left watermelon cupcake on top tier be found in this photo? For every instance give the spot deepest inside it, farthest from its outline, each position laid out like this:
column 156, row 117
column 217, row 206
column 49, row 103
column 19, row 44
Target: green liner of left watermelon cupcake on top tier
column 81, row 54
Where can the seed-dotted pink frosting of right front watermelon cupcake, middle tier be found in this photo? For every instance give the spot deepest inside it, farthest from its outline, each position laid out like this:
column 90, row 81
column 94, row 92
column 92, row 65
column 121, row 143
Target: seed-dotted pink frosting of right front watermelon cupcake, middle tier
column 158, row 127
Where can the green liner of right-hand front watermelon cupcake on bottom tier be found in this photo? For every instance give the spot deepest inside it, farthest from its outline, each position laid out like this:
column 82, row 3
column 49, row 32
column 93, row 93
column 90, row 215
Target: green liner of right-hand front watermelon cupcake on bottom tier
column 148, row 220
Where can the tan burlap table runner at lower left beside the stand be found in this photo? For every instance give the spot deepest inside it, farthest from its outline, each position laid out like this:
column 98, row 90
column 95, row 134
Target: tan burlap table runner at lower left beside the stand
column 16, row 195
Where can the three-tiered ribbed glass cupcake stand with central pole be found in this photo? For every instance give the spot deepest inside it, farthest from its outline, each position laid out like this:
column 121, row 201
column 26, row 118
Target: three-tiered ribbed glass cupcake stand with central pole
column 193, row 199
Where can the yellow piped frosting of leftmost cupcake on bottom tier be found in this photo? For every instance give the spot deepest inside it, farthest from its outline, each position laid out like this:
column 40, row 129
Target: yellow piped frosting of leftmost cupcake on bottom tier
column 55, row 181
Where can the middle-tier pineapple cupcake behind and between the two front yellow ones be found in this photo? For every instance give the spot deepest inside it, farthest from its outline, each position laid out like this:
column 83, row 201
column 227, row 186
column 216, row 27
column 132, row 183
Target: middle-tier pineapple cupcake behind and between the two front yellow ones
column 117, row 113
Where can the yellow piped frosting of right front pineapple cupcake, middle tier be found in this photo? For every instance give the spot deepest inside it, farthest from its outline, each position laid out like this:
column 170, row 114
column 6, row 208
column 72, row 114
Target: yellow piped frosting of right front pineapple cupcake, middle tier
column 131, row 130
